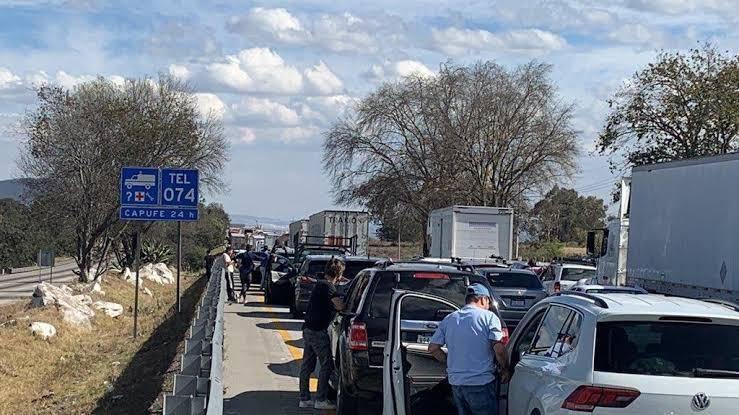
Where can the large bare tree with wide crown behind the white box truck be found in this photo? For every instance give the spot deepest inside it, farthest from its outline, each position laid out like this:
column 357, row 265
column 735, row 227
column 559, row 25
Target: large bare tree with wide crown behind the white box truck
column 470, row 135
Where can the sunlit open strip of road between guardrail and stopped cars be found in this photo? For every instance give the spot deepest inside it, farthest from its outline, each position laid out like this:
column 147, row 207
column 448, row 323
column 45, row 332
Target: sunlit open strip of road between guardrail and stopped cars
column 263, row 350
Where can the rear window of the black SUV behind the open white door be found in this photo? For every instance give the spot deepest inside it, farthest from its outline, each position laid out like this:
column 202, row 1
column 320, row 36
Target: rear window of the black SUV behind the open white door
column 453, row 289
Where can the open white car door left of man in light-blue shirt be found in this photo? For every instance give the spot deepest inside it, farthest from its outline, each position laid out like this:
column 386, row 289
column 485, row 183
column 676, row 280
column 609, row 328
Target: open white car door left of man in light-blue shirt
column 413, row 380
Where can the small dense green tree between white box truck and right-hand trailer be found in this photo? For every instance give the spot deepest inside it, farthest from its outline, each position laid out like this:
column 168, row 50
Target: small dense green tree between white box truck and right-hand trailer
column 565, row 216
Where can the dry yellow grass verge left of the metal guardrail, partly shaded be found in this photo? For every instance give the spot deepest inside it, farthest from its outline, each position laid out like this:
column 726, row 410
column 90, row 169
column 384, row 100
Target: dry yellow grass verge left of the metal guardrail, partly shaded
column 81, row 372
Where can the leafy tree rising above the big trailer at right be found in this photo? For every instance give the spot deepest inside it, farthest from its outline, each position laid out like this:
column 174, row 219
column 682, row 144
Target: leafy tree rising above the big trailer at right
column 683, row 105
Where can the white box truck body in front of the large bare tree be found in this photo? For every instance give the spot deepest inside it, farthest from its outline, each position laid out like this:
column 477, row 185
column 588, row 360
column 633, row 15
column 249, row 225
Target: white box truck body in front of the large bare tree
column 471, row 232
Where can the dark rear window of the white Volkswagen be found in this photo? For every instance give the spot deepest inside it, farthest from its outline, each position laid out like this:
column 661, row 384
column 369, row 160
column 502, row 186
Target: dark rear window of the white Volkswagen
column 658, row 348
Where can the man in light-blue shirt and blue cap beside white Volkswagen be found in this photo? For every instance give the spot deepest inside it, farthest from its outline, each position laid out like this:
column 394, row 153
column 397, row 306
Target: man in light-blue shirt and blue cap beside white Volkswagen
column 473, row 338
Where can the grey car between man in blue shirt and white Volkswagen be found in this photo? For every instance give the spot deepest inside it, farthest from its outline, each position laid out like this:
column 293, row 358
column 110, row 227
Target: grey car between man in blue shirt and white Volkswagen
column 515, row 292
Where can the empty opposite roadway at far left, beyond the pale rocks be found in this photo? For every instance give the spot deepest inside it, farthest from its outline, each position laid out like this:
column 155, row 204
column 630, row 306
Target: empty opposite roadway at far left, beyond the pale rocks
column 14, row 287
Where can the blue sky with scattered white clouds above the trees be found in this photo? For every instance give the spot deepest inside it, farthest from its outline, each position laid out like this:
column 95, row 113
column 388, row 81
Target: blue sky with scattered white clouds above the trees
column 279, row 72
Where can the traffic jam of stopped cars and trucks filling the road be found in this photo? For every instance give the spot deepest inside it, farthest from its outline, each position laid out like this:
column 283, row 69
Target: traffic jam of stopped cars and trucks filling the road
column 647, row 323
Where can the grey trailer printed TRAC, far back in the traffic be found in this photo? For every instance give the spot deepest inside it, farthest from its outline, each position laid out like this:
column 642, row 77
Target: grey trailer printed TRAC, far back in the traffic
column 341, row 228
